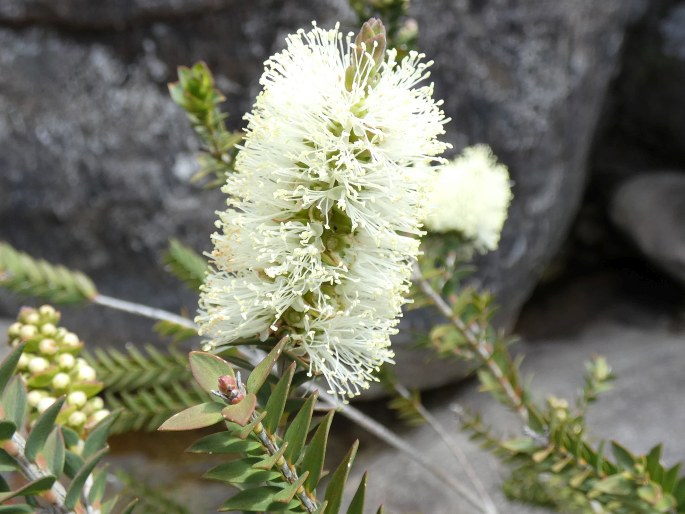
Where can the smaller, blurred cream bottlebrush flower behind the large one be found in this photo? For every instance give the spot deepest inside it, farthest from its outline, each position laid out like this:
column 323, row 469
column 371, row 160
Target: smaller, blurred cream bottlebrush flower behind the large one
column 471, row 195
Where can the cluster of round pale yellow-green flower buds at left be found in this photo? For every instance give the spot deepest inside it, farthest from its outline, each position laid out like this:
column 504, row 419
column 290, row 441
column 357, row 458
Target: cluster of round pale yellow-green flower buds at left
column 52, row 368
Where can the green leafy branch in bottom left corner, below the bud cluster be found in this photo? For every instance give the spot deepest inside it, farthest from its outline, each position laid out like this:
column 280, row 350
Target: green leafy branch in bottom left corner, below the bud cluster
column 47, row 455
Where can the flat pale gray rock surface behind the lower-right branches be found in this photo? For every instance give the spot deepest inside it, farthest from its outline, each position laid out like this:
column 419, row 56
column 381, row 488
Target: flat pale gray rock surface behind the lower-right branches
column 640, row 411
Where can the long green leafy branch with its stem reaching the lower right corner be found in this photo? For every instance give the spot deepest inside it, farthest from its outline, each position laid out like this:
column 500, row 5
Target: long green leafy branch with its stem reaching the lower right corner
column 554, row 451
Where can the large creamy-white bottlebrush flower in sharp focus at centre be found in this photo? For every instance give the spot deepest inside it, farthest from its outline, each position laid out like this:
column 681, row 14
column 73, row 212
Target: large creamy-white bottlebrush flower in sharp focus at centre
column 325, row 205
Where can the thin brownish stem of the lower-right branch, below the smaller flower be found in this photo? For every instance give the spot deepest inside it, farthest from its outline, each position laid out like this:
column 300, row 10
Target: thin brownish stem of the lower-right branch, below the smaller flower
column 477, row 343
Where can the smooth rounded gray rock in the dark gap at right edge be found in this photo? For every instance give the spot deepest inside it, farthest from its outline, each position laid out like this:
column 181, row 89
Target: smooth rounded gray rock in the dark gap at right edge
column 650, row 209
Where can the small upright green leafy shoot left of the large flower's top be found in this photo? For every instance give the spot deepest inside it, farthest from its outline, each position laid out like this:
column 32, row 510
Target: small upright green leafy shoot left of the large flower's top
column 196, row 94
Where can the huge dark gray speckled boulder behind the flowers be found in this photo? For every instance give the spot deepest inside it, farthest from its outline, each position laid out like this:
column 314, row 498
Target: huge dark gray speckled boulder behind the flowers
column 94, row 157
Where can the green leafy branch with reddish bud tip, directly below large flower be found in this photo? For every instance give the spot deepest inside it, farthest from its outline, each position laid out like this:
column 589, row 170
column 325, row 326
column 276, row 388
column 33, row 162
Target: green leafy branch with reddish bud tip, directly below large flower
column 278, row 470
